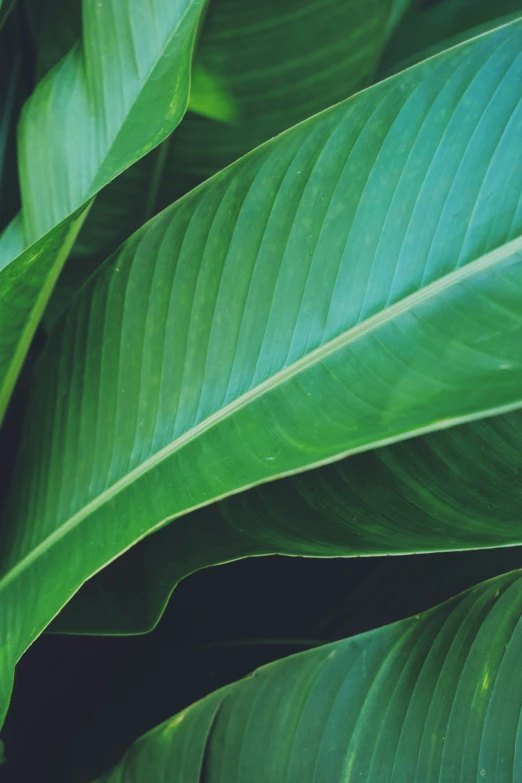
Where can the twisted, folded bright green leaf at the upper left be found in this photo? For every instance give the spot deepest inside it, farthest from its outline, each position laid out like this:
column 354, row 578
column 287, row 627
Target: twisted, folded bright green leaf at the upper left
column 104, row 106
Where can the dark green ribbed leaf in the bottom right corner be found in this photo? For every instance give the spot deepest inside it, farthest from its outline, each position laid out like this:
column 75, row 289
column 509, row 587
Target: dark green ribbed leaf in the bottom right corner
column 433, row 698
